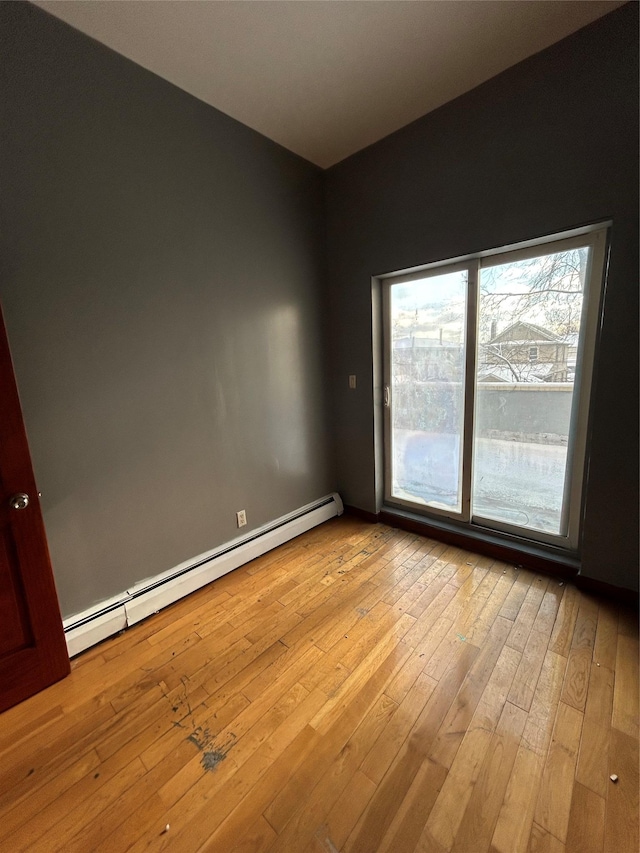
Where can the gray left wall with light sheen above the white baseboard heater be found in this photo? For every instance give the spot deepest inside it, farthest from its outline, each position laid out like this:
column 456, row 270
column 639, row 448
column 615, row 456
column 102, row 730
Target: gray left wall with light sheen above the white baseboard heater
column 162, row 271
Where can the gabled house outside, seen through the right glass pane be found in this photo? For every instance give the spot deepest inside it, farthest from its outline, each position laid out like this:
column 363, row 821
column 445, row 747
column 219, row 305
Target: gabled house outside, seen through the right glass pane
column 524, row 352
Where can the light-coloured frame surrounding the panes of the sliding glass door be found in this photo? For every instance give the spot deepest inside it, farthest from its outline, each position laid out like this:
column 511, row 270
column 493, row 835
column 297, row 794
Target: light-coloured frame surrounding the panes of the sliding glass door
column 596, row 238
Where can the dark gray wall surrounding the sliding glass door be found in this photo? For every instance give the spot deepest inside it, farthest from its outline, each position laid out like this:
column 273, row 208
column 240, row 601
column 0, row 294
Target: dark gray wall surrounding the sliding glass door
column 548, row 145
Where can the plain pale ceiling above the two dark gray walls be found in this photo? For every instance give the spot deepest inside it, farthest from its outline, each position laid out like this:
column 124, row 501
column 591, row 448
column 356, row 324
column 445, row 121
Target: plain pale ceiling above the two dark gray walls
column 326, row 78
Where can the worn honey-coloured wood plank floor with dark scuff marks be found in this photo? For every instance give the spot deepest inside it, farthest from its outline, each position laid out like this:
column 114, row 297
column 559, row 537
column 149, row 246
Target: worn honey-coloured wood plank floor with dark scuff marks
column 360, row 689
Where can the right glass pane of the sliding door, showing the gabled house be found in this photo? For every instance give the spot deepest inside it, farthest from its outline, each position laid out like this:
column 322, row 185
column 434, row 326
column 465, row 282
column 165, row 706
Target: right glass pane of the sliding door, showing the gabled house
column 528, row 329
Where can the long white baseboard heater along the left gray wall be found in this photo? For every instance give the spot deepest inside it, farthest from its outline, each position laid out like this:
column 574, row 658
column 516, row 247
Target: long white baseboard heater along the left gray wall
column 151, row 595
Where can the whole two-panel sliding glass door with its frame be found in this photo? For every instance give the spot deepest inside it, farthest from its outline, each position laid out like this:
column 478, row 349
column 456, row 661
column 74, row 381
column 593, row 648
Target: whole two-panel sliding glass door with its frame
column 487, row 373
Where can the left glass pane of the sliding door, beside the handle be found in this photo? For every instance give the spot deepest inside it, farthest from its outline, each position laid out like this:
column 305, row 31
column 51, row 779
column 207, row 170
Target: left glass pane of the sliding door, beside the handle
column 427, row 384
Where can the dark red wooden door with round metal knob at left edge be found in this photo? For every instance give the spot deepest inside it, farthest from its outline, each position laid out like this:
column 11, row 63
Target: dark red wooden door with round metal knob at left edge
column 33, row 652
